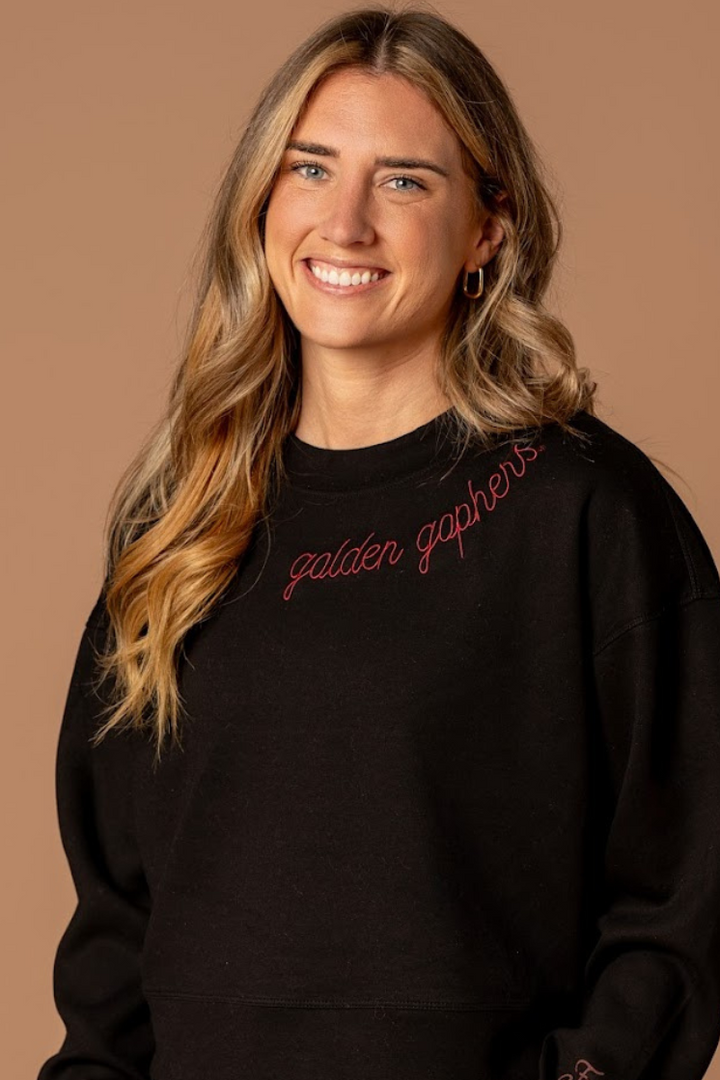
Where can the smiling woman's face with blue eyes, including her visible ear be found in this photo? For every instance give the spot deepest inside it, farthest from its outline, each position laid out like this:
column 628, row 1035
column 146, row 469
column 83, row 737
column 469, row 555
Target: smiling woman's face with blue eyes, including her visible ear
column 336, row 205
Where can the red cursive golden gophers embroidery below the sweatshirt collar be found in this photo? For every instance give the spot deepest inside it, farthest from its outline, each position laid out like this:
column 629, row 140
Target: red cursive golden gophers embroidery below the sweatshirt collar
column 449, row 528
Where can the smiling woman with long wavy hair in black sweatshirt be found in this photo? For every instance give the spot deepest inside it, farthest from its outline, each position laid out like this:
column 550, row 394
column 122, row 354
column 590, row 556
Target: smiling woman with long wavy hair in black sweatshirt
column 411, row 764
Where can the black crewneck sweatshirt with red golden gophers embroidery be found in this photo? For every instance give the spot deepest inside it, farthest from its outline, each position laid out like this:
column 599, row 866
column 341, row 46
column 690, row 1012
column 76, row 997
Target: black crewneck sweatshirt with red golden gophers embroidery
column 449, row 800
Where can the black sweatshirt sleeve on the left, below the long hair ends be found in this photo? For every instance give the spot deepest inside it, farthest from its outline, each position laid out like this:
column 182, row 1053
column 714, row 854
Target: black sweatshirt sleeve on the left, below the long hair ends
column 97, row 977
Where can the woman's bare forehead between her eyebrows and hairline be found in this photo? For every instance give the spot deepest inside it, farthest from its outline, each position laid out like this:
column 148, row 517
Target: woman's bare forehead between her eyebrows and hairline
column 383, row 111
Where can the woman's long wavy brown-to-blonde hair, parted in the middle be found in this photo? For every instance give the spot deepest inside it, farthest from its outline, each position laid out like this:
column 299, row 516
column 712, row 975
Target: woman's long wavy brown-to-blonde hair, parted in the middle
column 185, row 509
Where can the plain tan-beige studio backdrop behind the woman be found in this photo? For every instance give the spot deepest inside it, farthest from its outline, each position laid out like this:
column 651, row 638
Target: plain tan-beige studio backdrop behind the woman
column 118, row 120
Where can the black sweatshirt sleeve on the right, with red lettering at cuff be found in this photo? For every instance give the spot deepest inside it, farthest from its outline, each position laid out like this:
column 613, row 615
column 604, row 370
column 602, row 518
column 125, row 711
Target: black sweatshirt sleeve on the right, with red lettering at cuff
column 650, row 1006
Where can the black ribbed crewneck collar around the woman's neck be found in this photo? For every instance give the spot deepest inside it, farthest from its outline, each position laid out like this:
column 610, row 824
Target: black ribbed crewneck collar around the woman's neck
column 320, row 469
